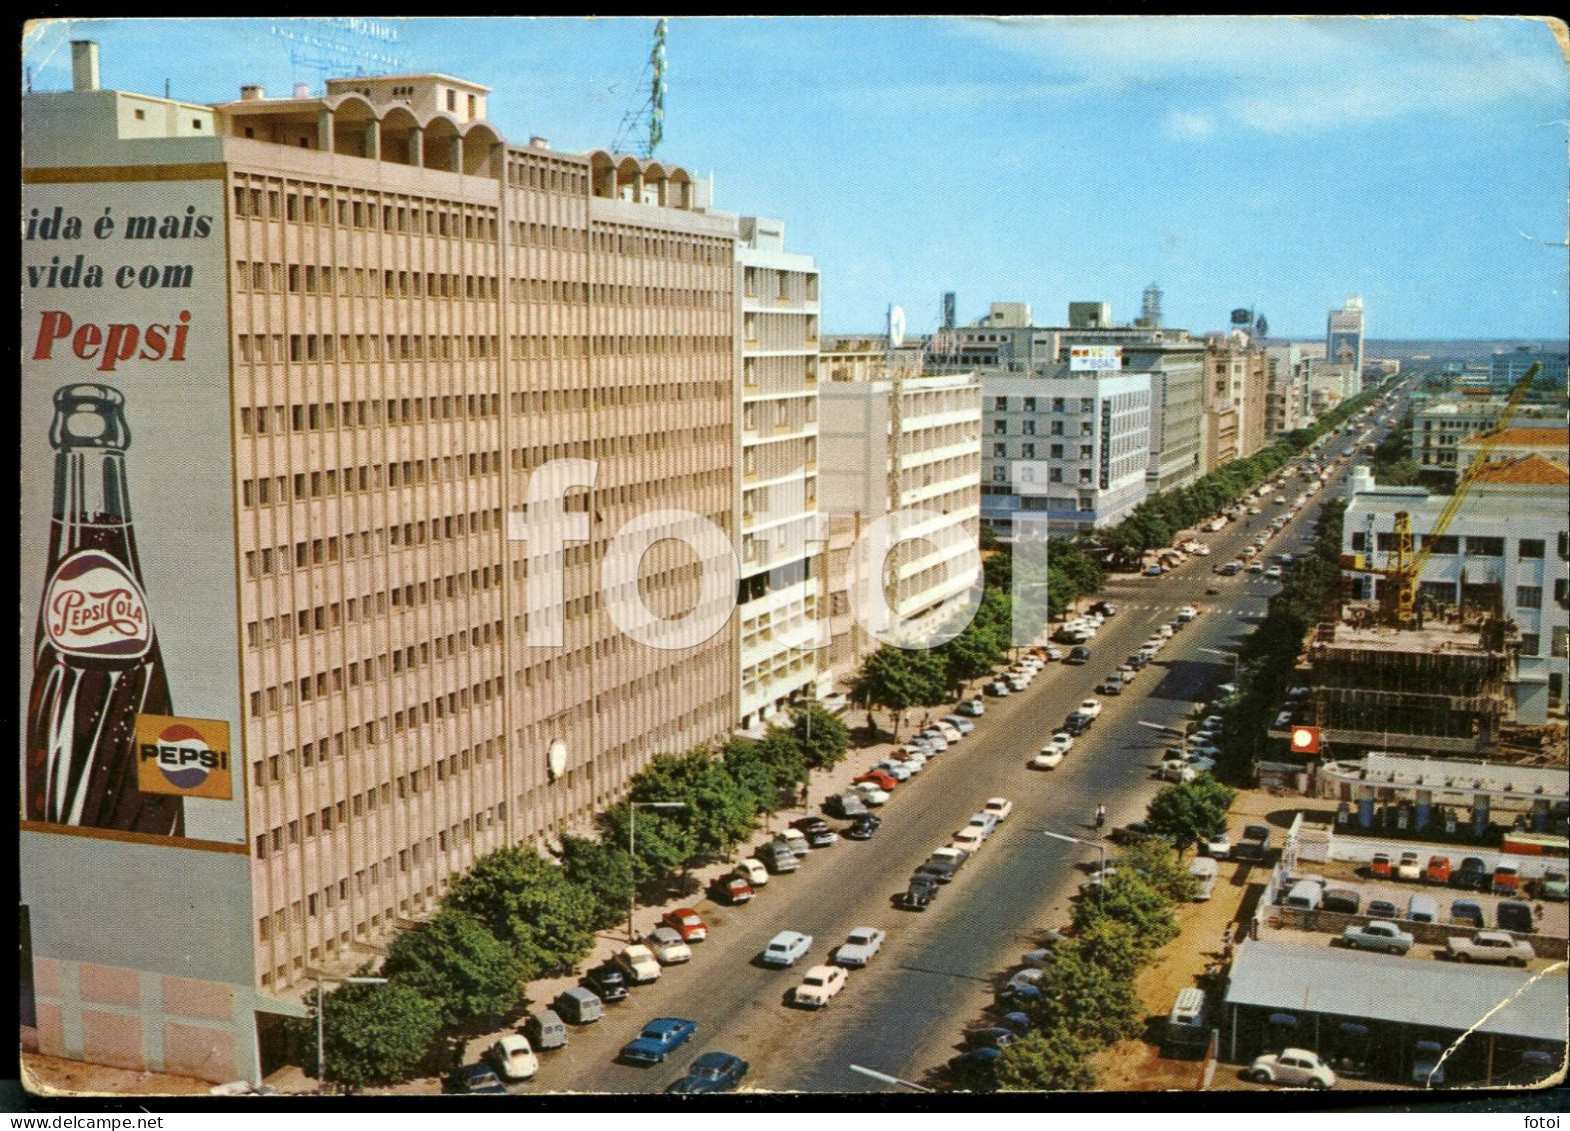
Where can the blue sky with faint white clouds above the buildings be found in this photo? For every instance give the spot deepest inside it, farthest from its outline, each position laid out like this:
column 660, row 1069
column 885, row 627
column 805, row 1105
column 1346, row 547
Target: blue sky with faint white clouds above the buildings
column 1261, row 163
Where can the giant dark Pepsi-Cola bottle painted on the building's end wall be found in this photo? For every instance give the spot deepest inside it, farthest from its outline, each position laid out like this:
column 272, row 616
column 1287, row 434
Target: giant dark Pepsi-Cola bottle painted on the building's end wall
column 97, row 662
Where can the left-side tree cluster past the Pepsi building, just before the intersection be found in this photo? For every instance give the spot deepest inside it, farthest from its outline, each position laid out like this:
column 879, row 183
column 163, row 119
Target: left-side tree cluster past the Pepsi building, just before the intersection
column 900, row 679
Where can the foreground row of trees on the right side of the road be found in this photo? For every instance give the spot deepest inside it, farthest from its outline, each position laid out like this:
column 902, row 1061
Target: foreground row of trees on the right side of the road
column 1089, row 997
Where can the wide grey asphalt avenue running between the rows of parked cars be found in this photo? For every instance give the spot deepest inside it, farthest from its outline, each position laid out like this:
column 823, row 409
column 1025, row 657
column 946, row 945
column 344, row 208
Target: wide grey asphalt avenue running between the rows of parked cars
column 907, row 1012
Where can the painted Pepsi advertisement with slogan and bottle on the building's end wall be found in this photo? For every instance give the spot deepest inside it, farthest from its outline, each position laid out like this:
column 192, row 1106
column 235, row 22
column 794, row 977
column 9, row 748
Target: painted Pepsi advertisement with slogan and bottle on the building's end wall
column 131, row 673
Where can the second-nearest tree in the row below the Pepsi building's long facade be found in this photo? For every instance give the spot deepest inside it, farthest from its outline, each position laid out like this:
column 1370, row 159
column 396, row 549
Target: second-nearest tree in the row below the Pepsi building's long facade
column 459, row 967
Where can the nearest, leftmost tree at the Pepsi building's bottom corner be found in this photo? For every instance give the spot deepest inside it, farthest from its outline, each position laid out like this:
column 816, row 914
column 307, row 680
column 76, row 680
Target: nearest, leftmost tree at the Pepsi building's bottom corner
column 376, row 1034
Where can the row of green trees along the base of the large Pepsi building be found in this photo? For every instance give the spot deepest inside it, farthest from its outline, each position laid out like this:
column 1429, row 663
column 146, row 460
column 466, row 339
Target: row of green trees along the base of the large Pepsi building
column 517, row 917
